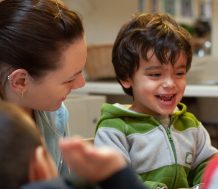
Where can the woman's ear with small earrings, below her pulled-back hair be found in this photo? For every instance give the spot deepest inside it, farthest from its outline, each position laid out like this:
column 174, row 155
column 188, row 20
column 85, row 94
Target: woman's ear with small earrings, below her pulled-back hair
column 18, row 80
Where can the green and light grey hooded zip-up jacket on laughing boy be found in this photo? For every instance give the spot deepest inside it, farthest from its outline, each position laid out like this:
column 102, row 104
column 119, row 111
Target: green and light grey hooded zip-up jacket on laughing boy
column 173, row 155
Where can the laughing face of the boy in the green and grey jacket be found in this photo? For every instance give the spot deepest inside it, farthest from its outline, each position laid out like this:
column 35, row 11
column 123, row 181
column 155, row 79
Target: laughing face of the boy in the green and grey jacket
column 158, row 88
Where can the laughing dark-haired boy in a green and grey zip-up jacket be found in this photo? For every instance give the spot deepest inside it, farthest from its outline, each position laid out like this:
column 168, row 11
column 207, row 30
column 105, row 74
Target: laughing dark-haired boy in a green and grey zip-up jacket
column 166, row 145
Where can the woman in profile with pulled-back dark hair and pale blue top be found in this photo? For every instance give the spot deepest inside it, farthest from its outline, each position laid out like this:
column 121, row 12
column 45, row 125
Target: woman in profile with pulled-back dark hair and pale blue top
column 43, row 52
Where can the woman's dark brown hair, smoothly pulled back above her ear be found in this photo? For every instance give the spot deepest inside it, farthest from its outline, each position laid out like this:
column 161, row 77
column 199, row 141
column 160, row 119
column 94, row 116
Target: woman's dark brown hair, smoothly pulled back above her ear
column 33, row 33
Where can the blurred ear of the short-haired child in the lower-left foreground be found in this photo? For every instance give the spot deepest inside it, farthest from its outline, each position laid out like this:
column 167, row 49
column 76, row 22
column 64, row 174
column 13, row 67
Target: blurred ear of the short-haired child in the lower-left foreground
column 41, row 166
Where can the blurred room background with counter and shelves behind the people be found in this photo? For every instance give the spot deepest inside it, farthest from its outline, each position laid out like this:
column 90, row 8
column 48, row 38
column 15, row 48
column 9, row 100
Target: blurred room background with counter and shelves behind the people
column 102, row 20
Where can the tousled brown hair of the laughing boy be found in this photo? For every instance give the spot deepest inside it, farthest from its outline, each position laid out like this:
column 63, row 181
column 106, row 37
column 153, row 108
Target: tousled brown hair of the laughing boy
column 145, row 32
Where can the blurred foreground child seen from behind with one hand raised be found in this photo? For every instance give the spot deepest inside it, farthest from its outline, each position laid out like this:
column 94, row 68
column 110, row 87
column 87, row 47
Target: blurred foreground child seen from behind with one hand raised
column 25, row 162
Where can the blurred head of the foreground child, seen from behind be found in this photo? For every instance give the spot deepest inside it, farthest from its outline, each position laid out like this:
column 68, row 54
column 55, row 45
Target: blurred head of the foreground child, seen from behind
column 23, row 157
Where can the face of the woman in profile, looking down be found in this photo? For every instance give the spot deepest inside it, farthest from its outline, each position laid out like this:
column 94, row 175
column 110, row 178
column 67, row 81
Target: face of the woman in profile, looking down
column 48, row 93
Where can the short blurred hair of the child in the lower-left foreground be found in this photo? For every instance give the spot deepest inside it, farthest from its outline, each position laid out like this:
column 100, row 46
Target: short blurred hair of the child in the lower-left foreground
column 19, row 138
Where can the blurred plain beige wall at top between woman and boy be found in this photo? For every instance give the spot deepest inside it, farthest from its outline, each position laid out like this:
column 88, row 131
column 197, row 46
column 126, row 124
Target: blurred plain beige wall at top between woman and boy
column 103, row 18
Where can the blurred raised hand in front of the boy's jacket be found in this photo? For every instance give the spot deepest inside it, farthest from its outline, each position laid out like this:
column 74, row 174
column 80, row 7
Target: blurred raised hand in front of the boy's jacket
column 91, row 163
